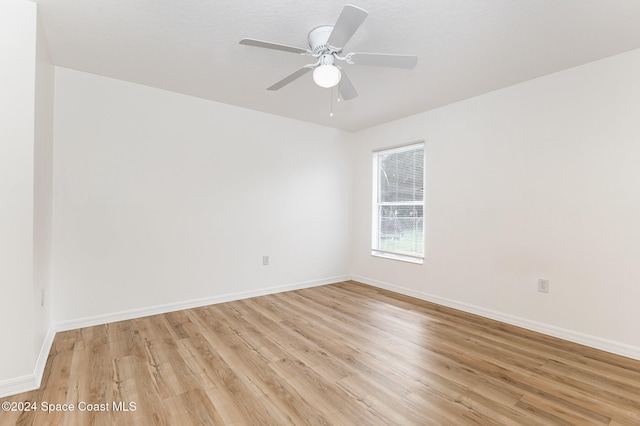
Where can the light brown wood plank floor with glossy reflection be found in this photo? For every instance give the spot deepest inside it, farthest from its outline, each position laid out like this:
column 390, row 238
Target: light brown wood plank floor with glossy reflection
column 339, row 354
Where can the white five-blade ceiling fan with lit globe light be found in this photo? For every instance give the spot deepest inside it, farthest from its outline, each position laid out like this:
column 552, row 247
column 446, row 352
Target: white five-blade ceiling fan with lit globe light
column 326, row 43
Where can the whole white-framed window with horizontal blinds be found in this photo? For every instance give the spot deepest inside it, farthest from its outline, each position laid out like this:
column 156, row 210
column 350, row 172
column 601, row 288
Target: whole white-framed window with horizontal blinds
column 398, row 203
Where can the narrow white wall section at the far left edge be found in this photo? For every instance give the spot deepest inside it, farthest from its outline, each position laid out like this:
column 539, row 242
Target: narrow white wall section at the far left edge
column 17, row 75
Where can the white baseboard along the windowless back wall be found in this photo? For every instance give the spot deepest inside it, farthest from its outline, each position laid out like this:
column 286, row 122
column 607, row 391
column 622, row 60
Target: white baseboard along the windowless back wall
column 188, row 304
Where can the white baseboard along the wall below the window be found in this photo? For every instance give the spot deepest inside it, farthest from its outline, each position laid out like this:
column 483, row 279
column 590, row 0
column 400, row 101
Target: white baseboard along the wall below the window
column 550, row 330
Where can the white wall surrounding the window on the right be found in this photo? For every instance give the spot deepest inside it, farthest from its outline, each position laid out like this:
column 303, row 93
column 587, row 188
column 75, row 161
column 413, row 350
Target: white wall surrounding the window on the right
column 536, row 180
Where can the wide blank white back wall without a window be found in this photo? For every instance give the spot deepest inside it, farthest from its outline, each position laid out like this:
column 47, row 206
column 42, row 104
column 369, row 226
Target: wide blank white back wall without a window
column 161, row 198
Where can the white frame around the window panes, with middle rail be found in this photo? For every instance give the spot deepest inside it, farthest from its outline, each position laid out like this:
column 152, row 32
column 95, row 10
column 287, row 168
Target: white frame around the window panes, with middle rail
column 376, row 204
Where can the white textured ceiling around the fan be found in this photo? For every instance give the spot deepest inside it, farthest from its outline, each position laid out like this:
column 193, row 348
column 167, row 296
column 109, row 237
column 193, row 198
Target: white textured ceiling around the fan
column 465, row 48
